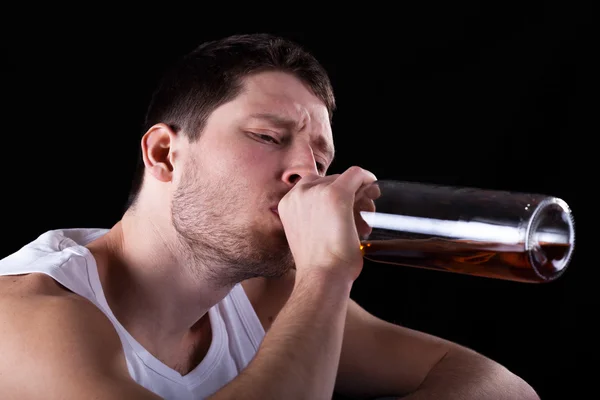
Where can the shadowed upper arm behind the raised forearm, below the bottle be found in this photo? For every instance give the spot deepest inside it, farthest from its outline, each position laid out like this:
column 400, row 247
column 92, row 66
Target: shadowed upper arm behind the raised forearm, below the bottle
column 380, row 358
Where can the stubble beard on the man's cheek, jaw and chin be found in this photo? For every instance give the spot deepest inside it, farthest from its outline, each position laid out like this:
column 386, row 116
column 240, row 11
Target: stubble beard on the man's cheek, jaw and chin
column 214, row 243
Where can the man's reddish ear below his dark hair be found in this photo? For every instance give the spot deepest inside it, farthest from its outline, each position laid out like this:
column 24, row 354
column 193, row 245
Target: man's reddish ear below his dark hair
column 157, row 151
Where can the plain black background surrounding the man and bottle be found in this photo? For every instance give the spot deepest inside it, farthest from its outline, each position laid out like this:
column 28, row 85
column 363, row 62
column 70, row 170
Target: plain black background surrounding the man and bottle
column 489, row 96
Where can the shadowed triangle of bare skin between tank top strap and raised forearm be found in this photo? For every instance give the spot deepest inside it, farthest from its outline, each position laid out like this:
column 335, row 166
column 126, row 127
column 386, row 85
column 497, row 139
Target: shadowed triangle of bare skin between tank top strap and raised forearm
column 269, row 295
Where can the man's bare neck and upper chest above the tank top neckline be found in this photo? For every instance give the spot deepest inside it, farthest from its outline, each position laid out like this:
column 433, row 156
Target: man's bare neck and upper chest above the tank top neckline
column 156, row 292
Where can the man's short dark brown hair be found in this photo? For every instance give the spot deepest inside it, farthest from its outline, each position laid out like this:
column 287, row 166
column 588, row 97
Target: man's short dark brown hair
column 211, row 75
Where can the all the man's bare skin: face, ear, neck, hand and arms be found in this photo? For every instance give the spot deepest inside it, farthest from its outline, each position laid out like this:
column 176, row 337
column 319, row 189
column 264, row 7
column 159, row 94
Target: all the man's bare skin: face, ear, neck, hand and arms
column 248, row 202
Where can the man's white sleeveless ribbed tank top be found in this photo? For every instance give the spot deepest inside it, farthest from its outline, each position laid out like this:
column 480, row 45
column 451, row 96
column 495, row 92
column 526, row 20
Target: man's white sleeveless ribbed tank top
column 237, row 331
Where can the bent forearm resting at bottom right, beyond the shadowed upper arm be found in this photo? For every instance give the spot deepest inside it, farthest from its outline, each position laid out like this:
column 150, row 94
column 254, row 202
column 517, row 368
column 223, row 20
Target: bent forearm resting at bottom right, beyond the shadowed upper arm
column 465, row 375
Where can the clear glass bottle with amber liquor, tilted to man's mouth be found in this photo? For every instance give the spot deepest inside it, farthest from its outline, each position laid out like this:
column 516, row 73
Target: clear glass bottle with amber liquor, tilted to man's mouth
column 488, row 233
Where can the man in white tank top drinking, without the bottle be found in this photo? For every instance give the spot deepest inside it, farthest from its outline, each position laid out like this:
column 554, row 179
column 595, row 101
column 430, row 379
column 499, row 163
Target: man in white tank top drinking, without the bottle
column 229, row 274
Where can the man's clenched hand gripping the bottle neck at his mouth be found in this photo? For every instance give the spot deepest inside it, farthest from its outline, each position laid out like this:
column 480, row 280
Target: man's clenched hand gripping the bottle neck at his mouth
column 321, row 220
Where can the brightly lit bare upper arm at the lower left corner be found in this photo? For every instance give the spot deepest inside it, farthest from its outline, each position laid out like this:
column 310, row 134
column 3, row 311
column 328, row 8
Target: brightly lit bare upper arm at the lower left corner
column 60, row 346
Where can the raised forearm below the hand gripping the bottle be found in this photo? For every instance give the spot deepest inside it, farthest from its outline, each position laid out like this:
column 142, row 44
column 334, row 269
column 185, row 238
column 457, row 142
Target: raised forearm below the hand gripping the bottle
column 299, row 356
